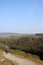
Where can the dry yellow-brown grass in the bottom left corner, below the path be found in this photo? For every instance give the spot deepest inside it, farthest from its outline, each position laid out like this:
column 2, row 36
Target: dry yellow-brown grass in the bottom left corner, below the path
column 4, row 61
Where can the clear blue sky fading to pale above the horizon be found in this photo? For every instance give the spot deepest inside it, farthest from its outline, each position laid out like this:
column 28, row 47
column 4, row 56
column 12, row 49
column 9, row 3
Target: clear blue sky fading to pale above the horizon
column 21, row 16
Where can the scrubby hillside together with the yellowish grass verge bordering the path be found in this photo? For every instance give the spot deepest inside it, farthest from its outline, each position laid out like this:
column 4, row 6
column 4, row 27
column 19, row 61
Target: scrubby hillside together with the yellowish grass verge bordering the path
column 24, row 46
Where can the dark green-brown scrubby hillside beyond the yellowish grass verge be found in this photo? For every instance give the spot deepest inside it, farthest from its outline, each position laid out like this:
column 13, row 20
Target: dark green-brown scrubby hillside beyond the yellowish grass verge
column 29, row 44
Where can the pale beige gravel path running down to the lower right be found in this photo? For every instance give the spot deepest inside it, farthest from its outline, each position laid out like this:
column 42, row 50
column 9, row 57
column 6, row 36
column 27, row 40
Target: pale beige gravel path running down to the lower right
column 20, row 61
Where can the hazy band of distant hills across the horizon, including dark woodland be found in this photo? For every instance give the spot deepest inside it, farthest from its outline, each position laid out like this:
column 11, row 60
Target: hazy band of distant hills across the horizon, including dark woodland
column 19, row 34
